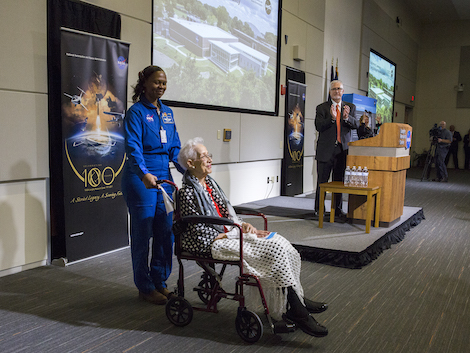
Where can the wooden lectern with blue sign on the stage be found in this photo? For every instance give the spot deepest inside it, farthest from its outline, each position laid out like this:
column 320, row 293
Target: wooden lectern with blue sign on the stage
column 387, row 156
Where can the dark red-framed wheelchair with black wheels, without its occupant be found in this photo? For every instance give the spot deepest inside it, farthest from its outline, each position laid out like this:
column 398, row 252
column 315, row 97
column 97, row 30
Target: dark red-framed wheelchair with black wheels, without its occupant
column 180, row 312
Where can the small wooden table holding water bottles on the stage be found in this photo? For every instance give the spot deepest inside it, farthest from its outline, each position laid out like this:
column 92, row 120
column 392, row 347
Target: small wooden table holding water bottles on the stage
column 339, row 187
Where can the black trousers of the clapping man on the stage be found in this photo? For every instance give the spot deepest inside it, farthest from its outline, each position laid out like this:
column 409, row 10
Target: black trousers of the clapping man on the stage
column 337, row 165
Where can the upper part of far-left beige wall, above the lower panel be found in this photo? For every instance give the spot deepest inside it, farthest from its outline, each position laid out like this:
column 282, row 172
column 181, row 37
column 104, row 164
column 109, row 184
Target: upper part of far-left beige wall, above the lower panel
column 23, row 90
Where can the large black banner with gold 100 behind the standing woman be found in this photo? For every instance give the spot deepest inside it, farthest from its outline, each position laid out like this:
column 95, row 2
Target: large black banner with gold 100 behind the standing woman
column 94, row 94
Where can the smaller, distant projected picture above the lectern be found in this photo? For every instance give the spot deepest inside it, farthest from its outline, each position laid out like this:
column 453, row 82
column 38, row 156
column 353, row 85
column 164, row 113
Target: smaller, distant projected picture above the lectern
column 382, row 85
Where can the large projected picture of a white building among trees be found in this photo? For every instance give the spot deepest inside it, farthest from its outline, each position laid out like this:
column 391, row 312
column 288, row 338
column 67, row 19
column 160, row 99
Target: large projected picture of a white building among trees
column 218, row 52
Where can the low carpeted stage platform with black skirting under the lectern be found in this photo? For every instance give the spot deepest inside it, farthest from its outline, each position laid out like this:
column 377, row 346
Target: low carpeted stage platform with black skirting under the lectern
column 336, row 244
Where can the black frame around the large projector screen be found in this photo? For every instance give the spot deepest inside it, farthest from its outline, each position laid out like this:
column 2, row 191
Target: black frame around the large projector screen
column 203, row 106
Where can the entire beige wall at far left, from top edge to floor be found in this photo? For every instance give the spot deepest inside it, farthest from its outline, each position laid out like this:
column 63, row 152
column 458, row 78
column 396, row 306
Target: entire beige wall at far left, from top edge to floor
column 24, row 154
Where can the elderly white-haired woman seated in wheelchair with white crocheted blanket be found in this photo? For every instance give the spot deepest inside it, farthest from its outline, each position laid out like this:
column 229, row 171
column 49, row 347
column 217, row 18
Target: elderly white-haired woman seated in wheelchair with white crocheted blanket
column 268, row 256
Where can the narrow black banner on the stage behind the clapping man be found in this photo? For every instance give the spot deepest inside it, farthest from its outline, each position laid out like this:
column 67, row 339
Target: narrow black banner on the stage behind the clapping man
column 293, row 162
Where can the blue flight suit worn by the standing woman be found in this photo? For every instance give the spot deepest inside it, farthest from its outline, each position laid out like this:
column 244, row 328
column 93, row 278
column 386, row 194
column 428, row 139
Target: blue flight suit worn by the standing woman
column 147, row 153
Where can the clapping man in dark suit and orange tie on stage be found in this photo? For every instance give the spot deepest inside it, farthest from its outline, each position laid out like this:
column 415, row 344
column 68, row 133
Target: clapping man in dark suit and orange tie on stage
column 334, row 121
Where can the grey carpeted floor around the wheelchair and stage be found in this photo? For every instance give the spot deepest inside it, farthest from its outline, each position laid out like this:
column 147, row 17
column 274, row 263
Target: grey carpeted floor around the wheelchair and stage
column 414, row 298
